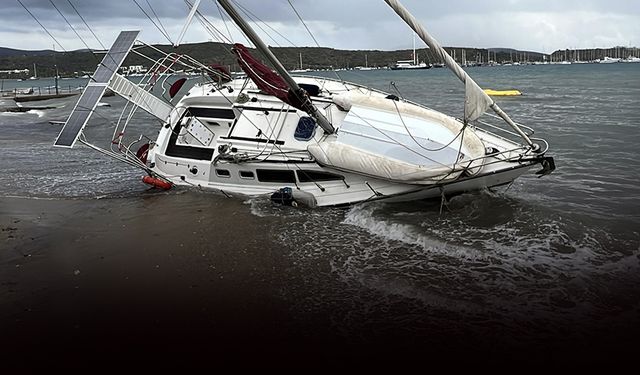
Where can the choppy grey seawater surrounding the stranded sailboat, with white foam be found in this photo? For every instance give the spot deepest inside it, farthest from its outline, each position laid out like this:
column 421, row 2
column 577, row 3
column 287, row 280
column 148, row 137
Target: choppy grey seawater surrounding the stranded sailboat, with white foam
column 554, row 252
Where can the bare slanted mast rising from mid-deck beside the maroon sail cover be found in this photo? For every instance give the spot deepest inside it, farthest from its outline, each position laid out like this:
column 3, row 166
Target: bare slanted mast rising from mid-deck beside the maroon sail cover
column 293, row 86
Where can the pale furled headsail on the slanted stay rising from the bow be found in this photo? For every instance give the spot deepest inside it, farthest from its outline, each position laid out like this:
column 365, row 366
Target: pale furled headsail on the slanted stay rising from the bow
column 476, row 101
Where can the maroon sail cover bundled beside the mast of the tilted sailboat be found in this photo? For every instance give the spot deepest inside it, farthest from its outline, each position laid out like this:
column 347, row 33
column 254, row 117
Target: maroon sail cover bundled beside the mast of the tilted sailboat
column 266, row 79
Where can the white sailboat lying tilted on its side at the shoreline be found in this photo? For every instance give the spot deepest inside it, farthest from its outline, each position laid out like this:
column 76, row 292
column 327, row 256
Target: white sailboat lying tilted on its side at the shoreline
column 307, row 140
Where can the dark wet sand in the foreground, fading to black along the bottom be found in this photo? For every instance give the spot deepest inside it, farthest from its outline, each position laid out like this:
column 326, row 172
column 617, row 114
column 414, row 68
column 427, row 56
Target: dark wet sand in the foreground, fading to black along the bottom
column 178, row 280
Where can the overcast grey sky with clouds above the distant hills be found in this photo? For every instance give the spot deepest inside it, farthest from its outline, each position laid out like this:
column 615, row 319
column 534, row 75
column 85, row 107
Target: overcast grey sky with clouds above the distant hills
column 535, row 25
